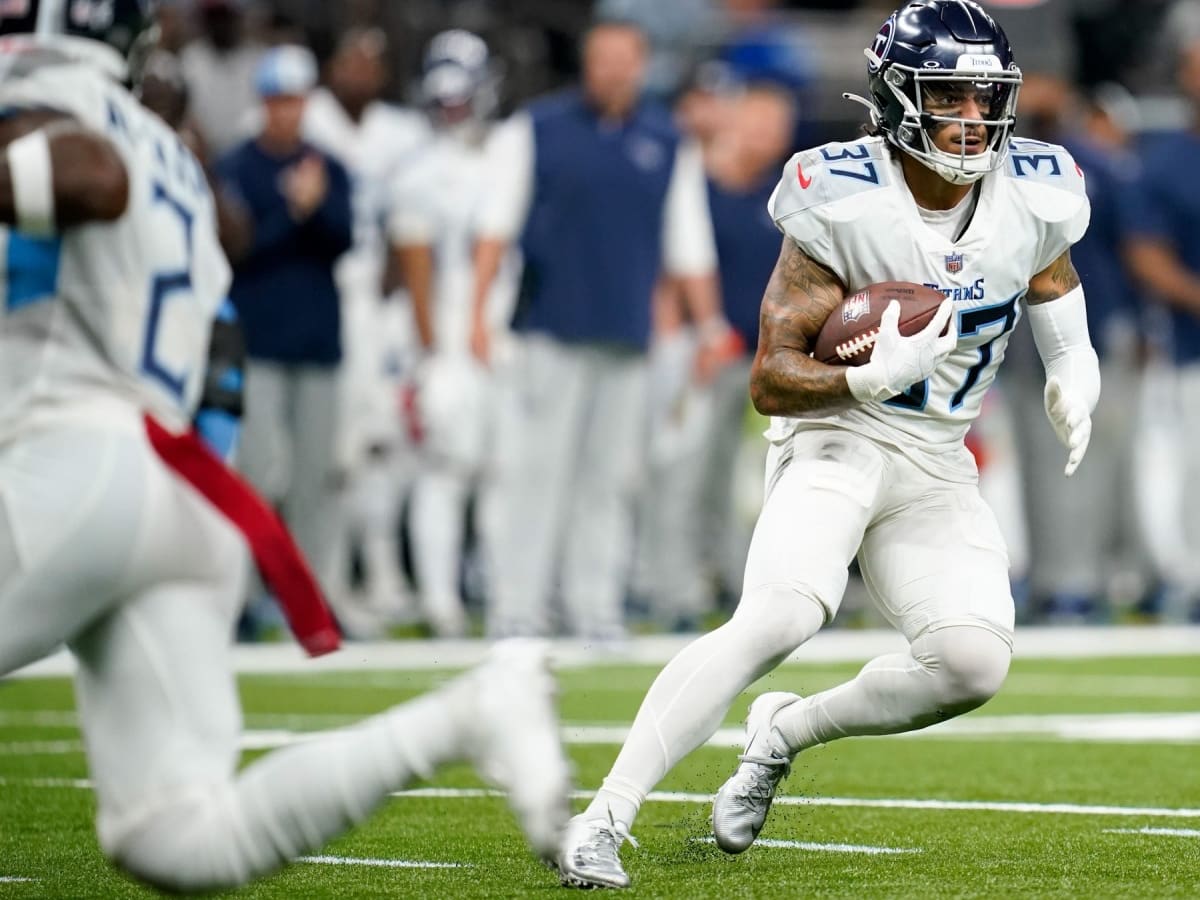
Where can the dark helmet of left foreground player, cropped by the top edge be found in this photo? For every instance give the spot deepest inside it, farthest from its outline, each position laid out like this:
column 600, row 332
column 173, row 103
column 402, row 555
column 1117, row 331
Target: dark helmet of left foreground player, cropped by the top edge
column 116, row 35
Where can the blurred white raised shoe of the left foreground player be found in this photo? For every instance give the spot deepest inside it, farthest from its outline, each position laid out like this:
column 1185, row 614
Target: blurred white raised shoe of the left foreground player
column 515, row 742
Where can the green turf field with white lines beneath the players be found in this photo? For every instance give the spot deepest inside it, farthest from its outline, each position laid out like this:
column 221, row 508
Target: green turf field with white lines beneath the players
column 1082, row 779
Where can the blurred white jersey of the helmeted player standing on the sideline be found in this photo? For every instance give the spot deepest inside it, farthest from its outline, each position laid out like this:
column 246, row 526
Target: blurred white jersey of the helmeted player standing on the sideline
column 437, row 201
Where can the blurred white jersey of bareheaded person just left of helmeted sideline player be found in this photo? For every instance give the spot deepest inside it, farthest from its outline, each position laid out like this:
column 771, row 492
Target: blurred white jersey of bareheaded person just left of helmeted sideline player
column 374, row 151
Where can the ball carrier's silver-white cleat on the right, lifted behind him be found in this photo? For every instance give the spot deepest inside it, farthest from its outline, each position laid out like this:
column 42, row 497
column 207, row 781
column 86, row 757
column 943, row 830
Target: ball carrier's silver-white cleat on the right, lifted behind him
column 745, row 800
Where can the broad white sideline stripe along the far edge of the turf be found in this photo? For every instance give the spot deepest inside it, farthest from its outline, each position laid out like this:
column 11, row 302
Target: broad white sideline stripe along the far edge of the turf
column 836, row 646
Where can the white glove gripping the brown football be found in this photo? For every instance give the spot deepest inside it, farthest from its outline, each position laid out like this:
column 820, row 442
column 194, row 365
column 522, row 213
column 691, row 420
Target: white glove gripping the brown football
column 897, row 362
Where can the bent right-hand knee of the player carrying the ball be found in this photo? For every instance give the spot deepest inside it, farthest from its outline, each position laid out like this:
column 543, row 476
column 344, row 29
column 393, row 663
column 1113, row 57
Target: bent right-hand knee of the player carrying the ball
column 970, row 664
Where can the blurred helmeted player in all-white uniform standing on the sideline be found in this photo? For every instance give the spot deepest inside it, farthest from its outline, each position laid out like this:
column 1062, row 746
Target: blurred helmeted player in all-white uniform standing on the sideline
column 434, row 230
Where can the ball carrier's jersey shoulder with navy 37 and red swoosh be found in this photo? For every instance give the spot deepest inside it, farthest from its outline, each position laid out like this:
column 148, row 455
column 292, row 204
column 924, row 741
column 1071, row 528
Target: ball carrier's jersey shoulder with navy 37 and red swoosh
column 832, row 183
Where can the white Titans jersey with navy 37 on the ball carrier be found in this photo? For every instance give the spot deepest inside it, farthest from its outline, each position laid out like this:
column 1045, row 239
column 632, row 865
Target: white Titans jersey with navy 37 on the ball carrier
column 848, row 207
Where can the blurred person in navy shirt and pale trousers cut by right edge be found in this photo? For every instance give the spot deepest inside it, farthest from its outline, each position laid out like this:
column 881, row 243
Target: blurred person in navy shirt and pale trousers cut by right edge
column 1165, row 254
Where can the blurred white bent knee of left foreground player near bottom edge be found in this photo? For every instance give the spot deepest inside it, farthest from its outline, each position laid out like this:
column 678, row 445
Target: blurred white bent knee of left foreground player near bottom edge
column 188, row 845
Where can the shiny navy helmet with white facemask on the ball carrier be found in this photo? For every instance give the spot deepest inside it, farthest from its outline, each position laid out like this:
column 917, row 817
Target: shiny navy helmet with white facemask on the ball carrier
column 944, row 50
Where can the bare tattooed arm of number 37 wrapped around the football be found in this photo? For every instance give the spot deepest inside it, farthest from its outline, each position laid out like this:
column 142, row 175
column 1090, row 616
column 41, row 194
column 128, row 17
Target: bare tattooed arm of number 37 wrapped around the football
column 785, row 380
